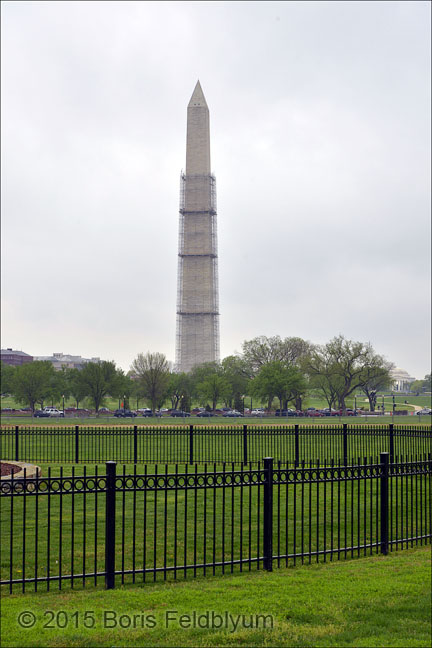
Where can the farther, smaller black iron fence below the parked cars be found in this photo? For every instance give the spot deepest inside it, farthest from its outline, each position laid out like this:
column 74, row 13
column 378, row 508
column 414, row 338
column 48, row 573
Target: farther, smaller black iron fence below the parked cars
column 200, row 444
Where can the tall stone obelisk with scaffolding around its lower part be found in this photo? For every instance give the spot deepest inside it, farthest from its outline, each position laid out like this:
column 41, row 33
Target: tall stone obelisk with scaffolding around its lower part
column 197, row 339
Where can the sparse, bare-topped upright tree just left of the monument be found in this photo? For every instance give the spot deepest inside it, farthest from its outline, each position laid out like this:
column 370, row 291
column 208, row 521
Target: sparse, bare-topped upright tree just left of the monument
column 152, row 372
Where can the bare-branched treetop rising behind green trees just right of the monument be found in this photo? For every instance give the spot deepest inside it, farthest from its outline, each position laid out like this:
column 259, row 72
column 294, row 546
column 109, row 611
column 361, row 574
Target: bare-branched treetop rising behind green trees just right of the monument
column 263, row 350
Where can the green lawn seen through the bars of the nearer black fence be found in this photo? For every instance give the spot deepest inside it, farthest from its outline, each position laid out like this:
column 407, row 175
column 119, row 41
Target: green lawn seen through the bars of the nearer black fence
column 172, row 530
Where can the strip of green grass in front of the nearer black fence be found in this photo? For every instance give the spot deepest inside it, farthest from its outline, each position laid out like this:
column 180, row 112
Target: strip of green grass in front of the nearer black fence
column 371, row 601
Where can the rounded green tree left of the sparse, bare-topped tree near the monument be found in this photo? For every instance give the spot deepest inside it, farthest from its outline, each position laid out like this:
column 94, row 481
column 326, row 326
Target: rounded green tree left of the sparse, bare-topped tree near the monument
column 97, row 380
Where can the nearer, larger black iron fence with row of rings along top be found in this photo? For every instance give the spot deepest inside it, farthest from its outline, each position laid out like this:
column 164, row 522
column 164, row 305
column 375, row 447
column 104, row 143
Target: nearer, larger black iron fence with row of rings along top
column 119, row 527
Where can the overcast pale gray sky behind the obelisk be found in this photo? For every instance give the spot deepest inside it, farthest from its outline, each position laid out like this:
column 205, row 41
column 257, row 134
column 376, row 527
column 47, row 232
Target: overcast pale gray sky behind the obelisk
column 320, row 135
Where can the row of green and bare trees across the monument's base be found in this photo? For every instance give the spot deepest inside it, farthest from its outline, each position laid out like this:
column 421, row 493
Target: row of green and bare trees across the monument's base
column 267, row 369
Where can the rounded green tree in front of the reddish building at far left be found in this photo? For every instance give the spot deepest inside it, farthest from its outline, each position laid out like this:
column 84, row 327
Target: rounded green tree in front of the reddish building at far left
column 32, row 382
